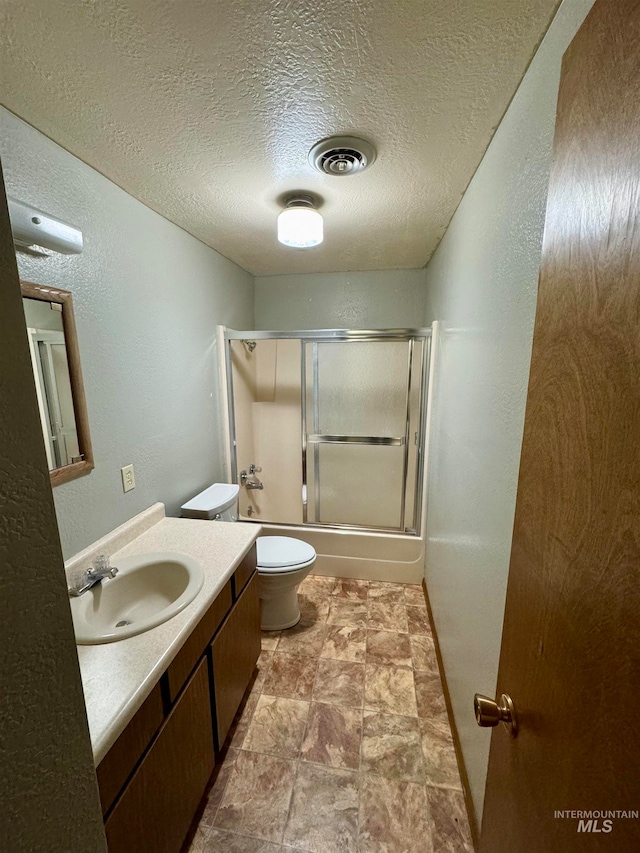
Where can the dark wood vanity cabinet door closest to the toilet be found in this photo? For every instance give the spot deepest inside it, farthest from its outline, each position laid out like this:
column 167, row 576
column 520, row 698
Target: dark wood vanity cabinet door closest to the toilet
column 235, row 653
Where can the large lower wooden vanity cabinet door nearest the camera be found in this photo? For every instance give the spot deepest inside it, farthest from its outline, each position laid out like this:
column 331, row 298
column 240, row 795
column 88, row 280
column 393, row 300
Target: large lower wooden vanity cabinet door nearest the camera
column 155, row 811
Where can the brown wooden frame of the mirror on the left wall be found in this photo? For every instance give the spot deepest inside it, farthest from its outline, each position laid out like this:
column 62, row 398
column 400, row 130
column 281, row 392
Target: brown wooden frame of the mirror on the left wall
column 30, row 290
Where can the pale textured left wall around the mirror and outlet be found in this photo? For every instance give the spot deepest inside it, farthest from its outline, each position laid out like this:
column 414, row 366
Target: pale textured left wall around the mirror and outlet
column 147, row 299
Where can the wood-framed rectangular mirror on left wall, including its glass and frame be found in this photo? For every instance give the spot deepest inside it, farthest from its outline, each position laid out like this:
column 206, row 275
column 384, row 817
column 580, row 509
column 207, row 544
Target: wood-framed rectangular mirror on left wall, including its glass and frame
column 55, row 359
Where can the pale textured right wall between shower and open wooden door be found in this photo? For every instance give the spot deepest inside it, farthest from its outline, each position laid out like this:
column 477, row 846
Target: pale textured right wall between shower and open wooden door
column 481, row 285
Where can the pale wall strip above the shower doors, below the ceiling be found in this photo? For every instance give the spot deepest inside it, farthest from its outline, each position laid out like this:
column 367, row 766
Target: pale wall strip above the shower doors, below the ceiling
column 356, row 300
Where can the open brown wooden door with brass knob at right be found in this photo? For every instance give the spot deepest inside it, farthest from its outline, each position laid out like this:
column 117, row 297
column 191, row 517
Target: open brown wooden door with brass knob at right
column 571, row 641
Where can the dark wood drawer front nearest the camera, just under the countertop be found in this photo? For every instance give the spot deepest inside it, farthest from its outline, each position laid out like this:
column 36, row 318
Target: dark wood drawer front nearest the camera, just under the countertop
column 118, row 764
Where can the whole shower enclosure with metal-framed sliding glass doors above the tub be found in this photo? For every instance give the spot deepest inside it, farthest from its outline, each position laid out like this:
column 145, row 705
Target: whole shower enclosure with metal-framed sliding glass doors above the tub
column 334, row 423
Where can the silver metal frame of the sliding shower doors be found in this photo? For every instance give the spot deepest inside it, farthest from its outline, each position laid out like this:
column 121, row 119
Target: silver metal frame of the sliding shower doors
column 311, row 336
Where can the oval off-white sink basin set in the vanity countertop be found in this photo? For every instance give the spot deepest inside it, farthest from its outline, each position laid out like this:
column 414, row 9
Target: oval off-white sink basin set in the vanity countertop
column 148, row 590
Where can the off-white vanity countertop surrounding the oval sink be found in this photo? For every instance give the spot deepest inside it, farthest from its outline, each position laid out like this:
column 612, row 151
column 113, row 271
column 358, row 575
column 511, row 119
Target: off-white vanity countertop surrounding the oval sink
column 118, row 677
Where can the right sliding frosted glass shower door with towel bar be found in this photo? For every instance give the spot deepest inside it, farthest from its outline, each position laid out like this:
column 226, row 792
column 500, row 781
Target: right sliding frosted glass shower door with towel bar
column 361, row 422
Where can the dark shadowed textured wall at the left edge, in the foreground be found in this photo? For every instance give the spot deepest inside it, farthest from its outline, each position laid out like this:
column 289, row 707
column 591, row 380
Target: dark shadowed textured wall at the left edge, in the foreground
column 48, row 791
